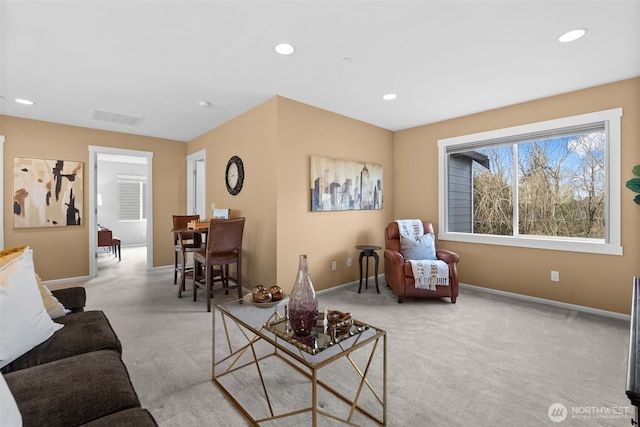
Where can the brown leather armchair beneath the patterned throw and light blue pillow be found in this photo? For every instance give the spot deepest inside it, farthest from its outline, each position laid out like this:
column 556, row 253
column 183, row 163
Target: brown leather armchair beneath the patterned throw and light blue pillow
column 399, row 273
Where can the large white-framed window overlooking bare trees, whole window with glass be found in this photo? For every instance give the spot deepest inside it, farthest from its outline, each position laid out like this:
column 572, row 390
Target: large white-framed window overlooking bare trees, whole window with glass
column 550, row 185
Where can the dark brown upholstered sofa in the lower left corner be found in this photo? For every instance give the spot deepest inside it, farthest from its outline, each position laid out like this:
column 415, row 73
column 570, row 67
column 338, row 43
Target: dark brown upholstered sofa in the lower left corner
column 76, row 377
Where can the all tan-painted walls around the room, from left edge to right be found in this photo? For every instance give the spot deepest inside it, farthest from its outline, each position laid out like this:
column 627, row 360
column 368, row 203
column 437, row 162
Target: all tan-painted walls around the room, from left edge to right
column 275, row 141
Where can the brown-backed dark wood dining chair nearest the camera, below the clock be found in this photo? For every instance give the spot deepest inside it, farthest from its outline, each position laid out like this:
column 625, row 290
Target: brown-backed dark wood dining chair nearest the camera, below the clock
column 223, row 248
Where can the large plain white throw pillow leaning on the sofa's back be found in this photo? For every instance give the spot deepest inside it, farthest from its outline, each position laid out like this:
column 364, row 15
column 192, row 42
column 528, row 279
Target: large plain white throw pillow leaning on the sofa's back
column 24, row 322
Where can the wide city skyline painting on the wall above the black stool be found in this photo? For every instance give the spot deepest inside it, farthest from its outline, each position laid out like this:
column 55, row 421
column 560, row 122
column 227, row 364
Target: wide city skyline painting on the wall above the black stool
column 339, row 185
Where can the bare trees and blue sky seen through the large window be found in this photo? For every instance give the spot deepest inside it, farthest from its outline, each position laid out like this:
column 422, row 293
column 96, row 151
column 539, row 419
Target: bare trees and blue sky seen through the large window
column 560, row 187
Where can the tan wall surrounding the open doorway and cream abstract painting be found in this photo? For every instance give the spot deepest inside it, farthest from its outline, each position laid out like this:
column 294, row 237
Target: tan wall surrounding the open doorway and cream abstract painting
column 62, row 253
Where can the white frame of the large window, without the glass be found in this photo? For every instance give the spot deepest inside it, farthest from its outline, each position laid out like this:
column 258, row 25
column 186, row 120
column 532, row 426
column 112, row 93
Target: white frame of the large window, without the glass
column 610, row 245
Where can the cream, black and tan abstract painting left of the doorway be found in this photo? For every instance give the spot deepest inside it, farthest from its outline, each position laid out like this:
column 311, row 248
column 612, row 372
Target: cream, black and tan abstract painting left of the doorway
column 47, row 193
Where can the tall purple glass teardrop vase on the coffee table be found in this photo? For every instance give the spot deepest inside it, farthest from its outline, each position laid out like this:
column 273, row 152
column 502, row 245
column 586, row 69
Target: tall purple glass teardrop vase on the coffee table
column 303, row 304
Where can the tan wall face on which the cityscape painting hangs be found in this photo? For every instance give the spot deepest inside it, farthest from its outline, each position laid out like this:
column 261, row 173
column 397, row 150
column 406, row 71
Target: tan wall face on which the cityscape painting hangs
column 325, row 236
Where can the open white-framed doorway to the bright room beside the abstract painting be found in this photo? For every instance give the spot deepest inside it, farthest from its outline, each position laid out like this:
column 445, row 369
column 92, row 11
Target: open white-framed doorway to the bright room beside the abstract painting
column 118, row 180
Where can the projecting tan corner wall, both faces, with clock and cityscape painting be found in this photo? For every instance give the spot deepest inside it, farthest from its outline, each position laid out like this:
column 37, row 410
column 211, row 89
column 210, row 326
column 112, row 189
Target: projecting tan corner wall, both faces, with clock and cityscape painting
column 275, row 141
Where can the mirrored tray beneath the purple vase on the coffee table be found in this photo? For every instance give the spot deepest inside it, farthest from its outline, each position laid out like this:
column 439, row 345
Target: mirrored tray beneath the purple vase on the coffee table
column 321, row 340
